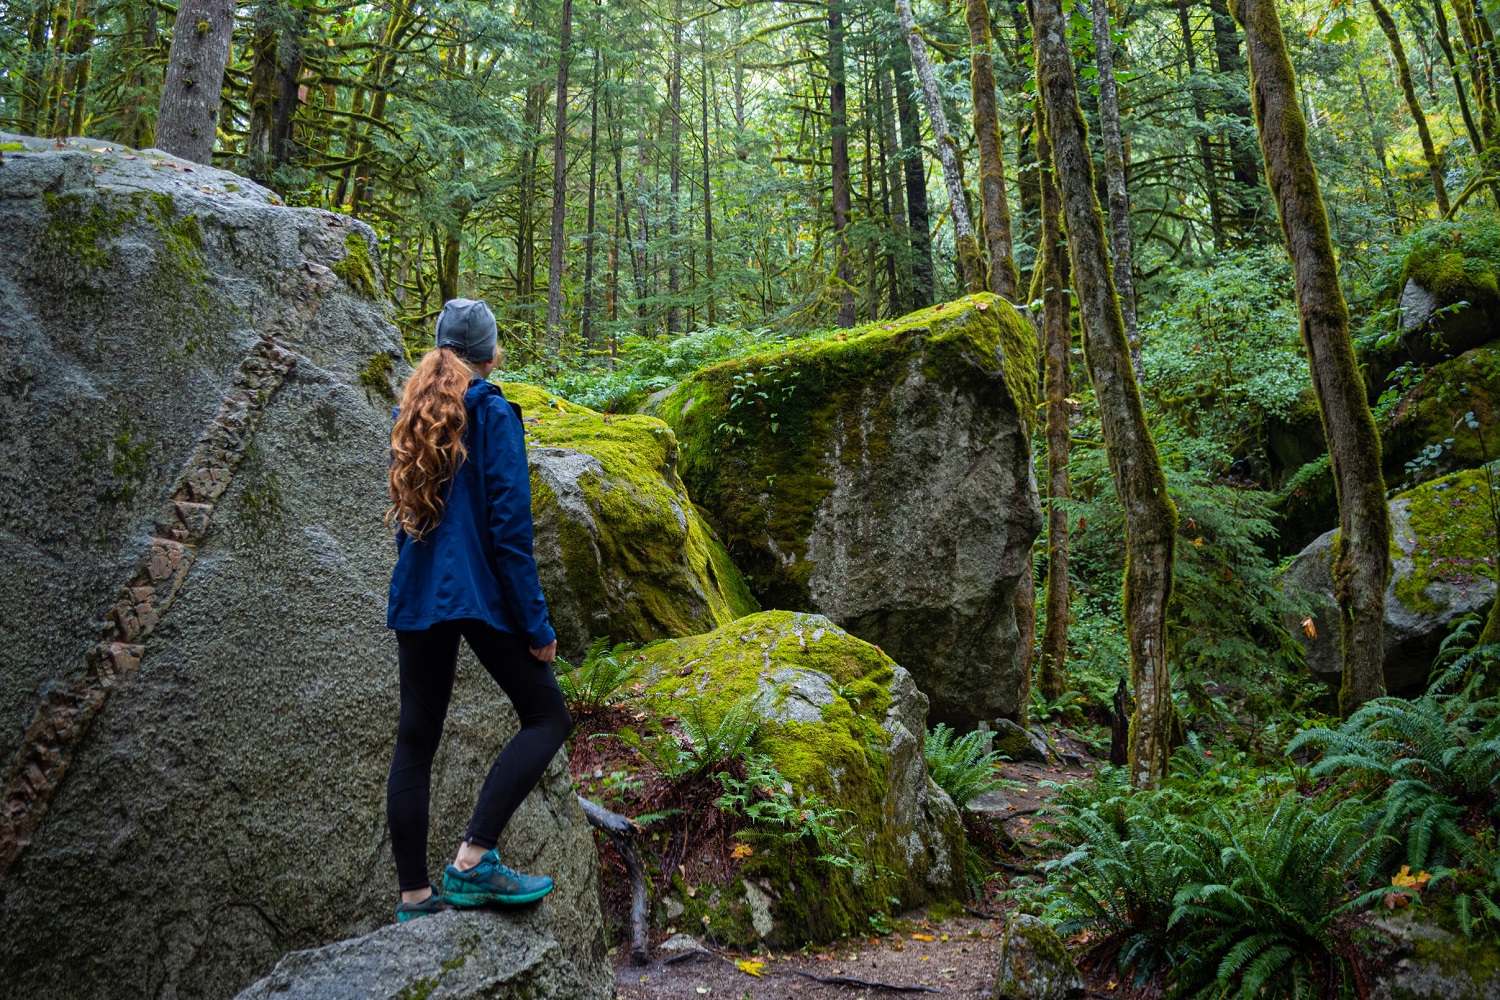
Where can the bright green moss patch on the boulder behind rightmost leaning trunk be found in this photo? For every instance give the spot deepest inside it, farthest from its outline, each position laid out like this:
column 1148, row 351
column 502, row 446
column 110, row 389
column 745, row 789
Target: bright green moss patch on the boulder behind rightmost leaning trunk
column 1456, row 539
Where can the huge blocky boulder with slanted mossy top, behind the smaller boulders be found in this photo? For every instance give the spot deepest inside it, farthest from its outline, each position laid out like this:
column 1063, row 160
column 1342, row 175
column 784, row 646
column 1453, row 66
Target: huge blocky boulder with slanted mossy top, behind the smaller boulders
column 884, row 479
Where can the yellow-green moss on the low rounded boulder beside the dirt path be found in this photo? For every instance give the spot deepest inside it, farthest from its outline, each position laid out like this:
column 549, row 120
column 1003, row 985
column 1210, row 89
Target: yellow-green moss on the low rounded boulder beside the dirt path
column 842, row 758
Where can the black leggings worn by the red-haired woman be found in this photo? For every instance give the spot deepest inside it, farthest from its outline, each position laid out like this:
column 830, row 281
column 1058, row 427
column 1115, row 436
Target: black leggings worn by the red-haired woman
column 428, row 660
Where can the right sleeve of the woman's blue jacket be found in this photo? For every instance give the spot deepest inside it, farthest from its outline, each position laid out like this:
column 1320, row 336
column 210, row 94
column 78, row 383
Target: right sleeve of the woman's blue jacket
column 508, row 501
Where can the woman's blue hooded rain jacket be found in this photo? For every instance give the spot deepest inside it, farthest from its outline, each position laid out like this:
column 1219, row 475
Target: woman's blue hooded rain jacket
column 478, row 561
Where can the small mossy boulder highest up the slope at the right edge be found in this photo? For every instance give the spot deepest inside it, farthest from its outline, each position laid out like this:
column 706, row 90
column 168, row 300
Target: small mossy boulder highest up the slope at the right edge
column 1450, row 290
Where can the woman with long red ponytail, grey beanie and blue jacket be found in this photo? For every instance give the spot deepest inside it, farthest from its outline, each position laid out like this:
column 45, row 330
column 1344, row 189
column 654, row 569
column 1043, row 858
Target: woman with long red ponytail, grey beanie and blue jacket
column 461, row 504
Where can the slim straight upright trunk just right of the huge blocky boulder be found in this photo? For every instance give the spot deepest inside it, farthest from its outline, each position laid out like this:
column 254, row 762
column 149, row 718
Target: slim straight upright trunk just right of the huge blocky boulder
column 1051, row 287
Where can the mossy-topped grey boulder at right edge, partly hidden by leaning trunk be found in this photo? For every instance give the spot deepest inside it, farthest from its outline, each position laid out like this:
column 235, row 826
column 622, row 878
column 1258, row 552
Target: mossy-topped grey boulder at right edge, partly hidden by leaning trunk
column 1442, row 567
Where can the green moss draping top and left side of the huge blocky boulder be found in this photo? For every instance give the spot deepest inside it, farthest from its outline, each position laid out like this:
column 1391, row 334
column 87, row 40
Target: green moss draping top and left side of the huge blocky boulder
column 826, row 401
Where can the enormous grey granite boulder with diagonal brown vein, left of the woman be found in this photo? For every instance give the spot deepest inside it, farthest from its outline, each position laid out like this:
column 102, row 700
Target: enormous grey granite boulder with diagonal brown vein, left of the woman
column 199, row 695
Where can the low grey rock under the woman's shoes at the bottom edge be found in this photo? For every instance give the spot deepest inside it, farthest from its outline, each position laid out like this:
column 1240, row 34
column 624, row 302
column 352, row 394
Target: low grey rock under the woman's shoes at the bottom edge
column 455, row 956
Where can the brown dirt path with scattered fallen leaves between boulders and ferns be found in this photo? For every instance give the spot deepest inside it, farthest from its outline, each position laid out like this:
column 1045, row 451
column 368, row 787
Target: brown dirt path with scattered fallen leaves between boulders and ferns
column 953, row 956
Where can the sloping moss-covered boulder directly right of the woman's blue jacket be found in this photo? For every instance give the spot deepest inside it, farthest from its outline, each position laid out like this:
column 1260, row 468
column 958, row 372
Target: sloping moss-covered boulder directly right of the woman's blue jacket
column 620, row 548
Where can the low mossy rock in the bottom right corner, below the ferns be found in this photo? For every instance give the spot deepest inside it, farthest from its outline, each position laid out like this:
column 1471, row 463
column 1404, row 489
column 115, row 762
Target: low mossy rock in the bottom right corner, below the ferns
column 1424, row 962
